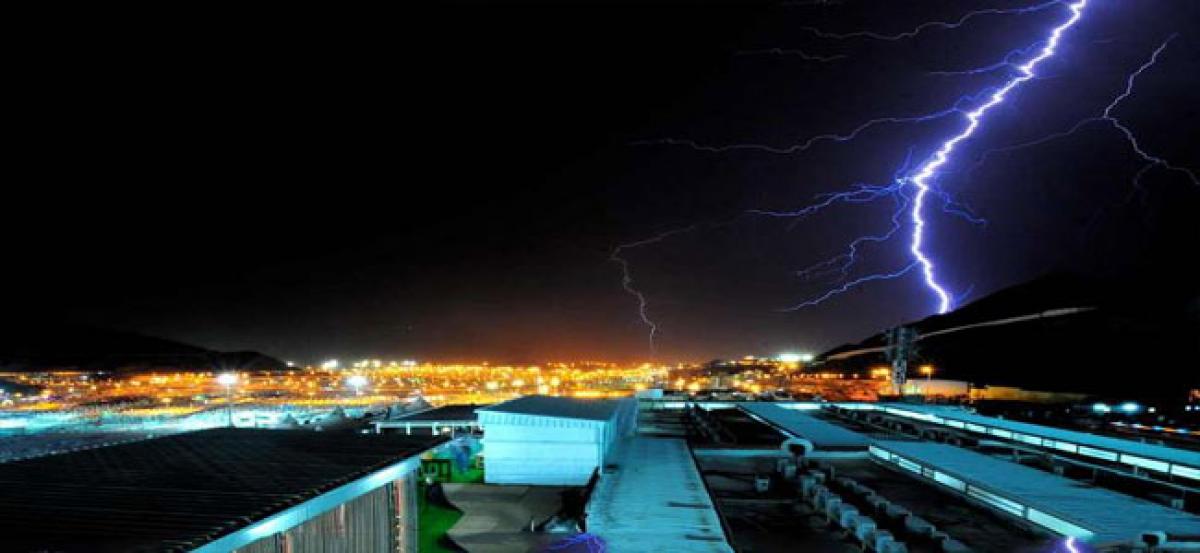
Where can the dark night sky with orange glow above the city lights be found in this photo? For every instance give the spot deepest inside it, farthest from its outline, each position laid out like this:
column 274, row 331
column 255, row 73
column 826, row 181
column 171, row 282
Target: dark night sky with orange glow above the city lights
column 449, row 182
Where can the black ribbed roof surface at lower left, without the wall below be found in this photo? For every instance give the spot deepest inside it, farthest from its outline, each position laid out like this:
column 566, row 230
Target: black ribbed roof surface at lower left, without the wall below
column 183, row 491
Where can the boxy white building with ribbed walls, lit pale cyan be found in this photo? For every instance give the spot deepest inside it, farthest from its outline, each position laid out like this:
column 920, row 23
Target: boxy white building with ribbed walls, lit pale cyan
column 553, row 441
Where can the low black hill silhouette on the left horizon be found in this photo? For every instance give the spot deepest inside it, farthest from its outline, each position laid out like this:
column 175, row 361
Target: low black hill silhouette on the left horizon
column 47, row 346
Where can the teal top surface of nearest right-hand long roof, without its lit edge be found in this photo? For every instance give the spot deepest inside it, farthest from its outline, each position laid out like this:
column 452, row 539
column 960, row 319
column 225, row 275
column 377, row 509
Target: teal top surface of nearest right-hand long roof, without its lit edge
column 1109, row 515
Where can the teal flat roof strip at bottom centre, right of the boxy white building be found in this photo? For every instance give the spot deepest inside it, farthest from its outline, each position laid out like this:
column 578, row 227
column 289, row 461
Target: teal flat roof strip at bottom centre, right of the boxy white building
column 657, row 502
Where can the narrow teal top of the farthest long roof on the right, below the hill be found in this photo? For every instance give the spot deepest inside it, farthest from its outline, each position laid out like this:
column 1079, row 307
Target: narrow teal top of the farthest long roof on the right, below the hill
column 1172, row 455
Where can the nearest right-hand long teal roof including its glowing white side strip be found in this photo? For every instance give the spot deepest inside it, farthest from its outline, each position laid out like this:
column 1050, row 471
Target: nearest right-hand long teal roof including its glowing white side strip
column 1053, row 502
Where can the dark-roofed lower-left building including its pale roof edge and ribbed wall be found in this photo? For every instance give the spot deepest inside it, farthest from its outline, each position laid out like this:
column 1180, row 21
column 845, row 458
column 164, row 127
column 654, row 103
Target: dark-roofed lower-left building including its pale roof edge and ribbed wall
column 223, row 490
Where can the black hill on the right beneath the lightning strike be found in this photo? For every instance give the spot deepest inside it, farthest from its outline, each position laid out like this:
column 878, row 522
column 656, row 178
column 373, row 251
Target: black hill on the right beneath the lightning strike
column 1135, row 340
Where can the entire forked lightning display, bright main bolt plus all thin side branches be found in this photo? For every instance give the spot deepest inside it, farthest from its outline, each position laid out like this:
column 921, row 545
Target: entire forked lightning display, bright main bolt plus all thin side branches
column 913, row 190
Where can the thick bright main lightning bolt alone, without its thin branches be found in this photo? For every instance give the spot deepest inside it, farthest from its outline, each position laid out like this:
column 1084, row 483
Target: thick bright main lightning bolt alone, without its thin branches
column 943, row 157
